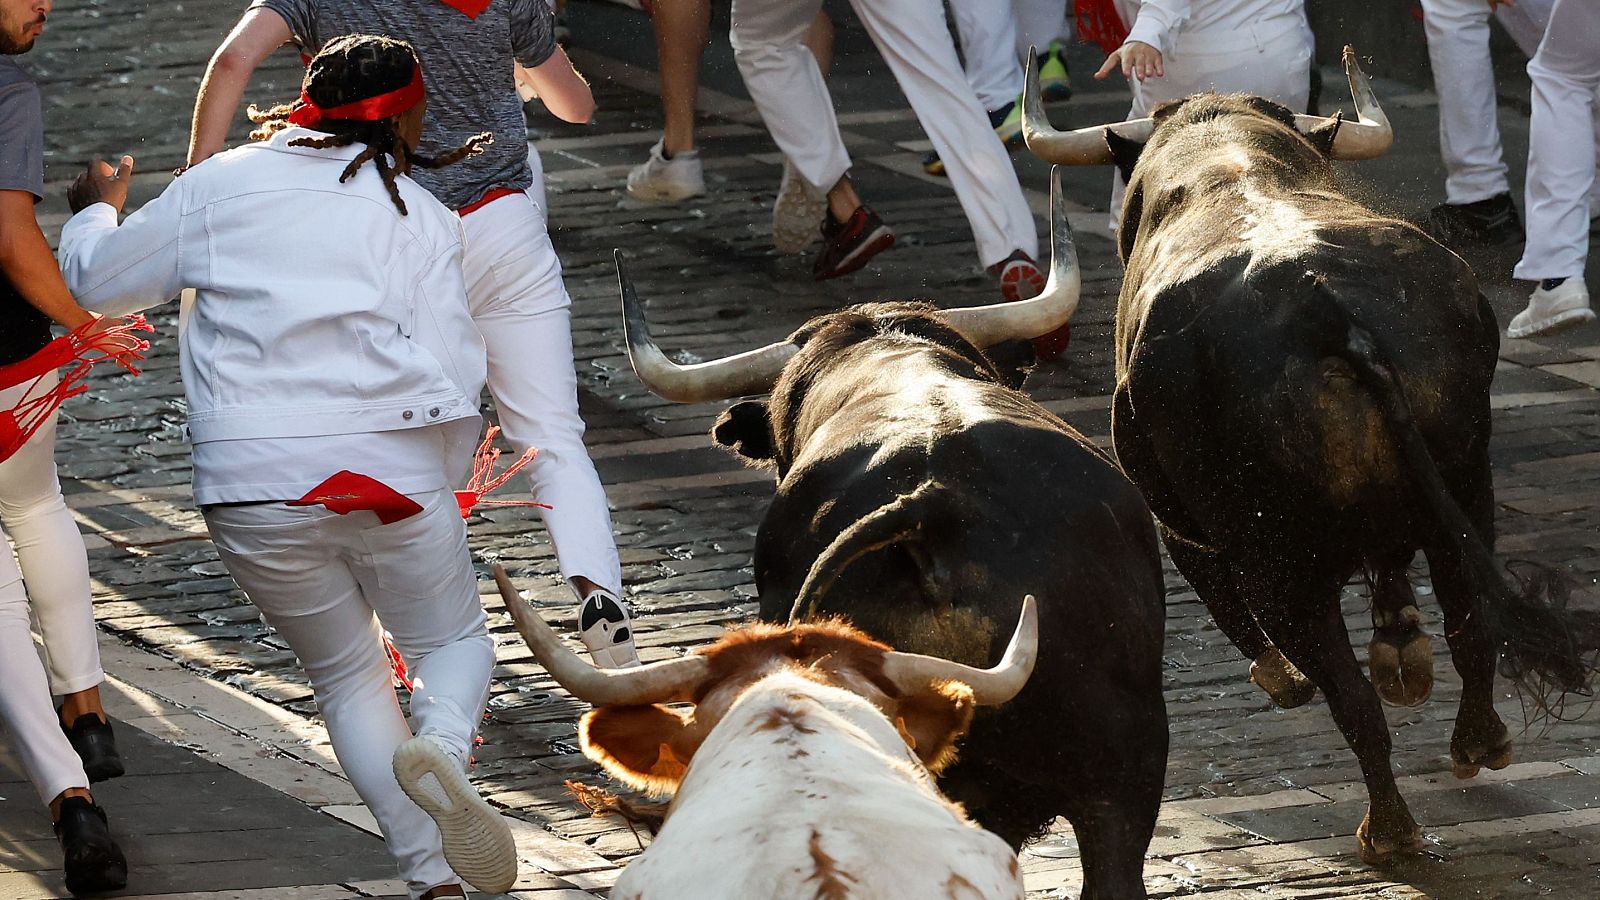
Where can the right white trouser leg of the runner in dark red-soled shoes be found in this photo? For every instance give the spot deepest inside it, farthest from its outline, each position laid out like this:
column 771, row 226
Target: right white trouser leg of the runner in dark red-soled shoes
column 913, row 39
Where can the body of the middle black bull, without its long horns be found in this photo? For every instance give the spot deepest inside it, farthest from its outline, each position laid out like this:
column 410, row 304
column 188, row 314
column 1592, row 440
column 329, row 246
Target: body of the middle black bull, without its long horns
column 922, row 496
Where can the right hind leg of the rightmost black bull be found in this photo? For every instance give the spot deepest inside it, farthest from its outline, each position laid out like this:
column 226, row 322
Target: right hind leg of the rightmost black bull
column 1481, row 737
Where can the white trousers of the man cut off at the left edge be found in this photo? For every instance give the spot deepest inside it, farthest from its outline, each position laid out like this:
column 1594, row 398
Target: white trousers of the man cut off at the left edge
column 54, row 581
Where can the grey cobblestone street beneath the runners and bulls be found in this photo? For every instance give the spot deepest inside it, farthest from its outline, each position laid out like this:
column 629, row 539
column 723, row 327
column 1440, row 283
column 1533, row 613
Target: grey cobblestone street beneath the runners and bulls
column 1260, row 802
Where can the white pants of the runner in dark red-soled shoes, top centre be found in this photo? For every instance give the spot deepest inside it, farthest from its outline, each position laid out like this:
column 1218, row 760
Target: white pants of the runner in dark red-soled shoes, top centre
column 788, row 89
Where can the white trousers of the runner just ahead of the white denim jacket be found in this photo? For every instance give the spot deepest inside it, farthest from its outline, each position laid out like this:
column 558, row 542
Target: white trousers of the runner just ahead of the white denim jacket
column 521, row 307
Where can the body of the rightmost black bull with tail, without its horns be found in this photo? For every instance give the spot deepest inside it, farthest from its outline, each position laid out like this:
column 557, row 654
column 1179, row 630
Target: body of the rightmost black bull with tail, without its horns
column 1303, row 388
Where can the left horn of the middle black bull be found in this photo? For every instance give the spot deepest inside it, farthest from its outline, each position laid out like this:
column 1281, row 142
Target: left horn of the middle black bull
column 753, row 372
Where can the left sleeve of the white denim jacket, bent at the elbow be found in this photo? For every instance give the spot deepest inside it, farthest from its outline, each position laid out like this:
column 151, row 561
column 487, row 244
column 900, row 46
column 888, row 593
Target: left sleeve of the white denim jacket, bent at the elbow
column 124, row 270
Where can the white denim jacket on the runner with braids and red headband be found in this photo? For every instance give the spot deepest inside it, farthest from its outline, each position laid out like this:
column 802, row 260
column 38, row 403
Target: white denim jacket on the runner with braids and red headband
column 319, row 308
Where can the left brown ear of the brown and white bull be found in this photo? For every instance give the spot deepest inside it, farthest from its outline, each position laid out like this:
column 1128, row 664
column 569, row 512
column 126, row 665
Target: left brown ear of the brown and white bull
column 644, row 747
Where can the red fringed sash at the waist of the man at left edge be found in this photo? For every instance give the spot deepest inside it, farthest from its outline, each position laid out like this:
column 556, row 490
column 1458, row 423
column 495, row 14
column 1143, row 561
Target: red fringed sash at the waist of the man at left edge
column 82, row 348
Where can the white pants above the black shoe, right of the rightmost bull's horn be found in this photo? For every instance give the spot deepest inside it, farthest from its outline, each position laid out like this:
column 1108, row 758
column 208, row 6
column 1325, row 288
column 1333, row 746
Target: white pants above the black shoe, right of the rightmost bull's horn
column 1458, row 50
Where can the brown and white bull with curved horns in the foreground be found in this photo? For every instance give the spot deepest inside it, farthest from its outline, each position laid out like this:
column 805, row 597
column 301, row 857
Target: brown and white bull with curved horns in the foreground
column 806, row 766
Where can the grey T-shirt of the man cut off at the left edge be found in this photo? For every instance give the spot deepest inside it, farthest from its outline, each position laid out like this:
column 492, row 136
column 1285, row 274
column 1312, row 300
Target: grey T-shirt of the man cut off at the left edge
column 23, row 329
